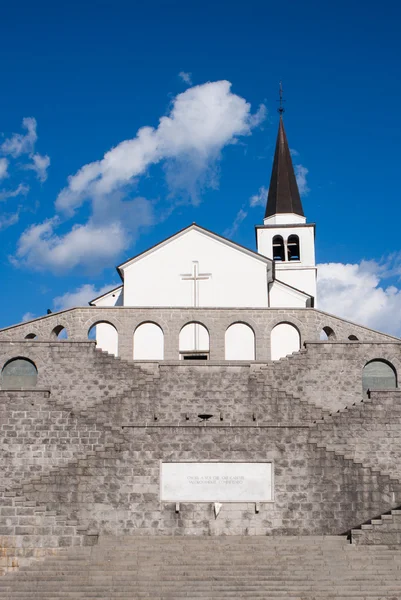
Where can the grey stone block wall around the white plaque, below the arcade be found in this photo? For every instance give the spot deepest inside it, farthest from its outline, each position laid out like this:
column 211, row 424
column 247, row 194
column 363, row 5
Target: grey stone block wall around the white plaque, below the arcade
column 86, row 445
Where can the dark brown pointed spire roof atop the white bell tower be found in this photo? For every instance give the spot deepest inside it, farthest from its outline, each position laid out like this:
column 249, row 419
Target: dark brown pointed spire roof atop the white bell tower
column 283, row 194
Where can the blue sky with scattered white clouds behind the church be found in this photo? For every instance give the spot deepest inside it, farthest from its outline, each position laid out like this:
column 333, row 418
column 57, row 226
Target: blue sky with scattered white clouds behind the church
column 86, row 76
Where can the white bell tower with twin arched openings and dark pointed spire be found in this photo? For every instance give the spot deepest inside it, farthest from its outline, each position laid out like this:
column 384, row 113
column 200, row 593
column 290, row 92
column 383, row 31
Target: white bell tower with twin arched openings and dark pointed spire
column 285, row 237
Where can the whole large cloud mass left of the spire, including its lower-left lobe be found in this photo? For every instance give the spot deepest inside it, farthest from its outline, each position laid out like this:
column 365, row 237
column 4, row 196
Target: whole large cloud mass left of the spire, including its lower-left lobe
column 188, row 142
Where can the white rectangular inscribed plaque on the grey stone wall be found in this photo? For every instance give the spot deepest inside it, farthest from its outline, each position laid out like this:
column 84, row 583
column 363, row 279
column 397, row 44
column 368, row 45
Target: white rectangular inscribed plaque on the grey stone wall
column 216, row 482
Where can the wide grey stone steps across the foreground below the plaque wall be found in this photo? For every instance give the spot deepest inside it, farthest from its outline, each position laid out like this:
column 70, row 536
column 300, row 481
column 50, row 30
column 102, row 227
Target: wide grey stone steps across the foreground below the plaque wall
column 210, row 568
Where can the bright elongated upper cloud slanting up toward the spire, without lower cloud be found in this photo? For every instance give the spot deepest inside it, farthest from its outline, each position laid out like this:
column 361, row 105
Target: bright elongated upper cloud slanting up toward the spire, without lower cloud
column 203, row 120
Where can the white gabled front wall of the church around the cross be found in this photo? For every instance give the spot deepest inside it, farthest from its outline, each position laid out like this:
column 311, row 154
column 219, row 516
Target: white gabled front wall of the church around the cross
column 236, row 279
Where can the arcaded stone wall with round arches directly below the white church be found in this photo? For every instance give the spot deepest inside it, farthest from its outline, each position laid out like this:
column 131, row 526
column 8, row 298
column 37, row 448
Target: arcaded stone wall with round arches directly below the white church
column 78, row 321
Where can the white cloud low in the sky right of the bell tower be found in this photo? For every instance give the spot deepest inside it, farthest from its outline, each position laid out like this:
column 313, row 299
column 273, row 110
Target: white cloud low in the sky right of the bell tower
column 358, row 292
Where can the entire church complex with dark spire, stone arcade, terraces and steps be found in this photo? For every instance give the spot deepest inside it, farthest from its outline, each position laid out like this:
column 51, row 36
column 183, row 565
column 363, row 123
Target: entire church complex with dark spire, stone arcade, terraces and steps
column 203, row 430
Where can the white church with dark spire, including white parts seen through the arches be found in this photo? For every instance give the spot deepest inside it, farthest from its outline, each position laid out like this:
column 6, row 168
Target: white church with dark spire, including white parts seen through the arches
column 199, row 269
